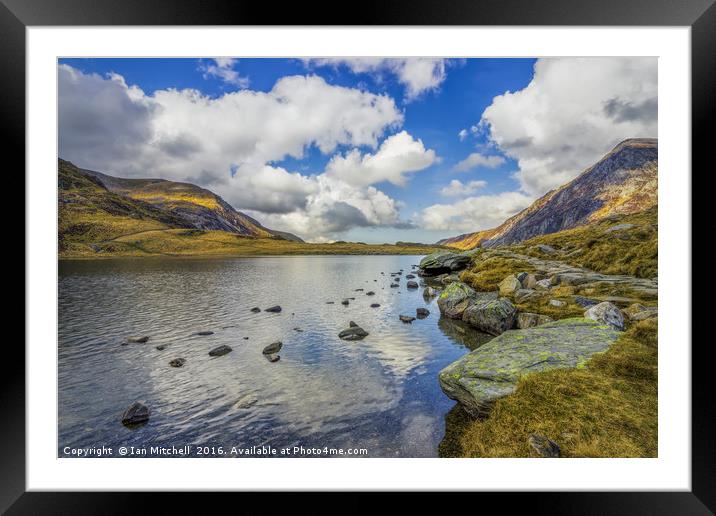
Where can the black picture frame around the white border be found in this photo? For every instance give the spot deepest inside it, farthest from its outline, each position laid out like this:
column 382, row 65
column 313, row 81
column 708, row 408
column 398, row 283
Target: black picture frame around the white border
column 700, row 15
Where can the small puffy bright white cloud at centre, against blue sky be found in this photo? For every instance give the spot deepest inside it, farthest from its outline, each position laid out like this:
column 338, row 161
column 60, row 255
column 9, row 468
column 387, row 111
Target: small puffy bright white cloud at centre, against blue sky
column 398, row 155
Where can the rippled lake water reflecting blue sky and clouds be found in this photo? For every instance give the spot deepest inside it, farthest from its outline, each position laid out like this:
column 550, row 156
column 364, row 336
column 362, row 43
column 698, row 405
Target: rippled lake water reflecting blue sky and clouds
column 380, row 393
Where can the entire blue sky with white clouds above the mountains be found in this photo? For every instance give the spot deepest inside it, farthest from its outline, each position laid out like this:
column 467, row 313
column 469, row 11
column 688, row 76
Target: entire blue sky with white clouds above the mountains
column 360, row 149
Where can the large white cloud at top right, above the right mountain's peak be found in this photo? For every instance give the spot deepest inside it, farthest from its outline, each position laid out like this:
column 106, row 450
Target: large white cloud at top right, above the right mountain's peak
column 573, row 112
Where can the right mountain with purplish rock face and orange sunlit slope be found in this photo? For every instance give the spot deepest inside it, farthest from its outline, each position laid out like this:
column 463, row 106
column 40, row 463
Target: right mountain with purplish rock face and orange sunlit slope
column 622, row 182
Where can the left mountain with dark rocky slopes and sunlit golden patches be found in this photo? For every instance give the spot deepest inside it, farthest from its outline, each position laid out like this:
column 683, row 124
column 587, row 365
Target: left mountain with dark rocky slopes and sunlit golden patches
column 96, row 207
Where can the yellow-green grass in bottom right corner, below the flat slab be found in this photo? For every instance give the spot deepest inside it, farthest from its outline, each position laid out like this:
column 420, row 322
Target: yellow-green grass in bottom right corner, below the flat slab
column 606, row 409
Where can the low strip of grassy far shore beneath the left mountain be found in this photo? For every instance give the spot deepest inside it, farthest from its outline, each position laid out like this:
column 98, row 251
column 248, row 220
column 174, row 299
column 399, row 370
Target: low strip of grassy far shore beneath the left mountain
column 193, row 242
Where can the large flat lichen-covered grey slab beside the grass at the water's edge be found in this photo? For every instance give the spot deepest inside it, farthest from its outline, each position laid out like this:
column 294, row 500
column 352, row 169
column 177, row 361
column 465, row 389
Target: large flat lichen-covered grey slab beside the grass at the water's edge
column 492, row 371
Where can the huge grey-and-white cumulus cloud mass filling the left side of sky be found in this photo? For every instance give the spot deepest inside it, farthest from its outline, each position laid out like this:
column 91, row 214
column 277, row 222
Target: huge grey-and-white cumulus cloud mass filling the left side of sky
column 230, row 144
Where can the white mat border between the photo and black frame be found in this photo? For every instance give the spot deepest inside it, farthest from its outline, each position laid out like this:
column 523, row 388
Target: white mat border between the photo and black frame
column 670, row 471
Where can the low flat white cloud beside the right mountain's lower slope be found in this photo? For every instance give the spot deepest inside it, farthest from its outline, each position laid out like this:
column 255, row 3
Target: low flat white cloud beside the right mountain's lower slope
column 474, row 213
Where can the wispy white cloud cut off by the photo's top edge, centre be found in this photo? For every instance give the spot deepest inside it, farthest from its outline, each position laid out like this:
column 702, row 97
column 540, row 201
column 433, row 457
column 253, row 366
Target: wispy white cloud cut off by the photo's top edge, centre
column 417, row 74
